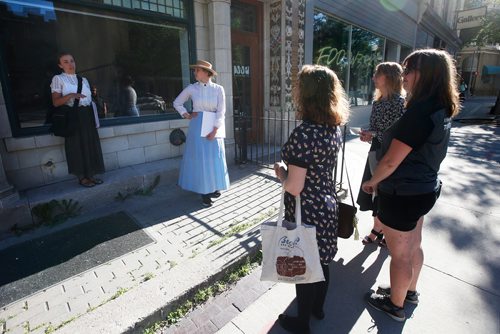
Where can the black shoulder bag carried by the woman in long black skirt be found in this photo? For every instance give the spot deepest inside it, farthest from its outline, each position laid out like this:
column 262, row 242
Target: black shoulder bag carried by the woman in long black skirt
column 65, row 118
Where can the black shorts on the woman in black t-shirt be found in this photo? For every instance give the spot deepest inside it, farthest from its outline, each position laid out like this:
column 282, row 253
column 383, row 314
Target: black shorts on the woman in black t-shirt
column 403, row 212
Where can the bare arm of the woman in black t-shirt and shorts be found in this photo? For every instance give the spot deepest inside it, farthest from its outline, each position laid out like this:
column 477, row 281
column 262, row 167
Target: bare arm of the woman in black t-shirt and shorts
column 390, row 161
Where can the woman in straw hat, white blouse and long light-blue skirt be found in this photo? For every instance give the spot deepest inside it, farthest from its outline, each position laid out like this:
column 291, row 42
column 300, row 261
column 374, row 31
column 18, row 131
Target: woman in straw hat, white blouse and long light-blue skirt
column 203, row 167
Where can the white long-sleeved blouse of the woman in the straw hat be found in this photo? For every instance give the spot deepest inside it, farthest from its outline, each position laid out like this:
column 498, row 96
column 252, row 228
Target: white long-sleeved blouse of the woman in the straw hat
column 209, row 97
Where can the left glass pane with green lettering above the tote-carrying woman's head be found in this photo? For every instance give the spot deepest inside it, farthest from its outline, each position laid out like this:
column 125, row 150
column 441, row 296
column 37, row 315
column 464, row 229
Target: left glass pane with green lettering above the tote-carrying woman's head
column 330, row 45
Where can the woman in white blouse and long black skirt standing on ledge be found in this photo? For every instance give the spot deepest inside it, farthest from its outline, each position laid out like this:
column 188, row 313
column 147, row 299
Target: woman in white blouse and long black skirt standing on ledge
column 83, row 148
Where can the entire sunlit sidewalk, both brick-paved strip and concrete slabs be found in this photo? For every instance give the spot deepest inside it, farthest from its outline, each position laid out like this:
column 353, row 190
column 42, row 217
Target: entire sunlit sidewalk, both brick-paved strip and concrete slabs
column 127, row 276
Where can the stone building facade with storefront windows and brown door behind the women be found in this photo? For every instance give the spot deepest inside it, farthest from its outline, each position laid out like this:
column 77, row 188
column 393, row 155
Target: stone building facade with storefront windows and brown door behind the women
column 257, row 48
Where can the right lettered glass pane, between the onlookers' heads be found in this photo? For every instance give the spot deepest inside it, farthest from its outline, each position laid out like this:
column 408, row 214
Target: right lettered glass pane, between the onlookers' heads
column 367, row 50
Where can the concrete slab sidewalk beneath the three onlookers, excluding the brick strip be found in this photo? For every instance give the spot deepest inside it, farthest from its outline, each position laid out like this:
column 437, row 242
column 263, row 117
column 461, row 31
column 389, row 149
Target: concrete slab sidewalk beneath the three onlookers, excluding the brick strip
column 459, row 285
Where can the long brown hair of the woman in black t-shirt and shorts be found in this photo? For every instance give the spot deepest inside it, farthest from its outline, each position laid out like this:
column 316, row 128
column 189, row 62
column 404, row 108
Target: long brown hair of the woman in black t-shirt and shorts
column 438, row 79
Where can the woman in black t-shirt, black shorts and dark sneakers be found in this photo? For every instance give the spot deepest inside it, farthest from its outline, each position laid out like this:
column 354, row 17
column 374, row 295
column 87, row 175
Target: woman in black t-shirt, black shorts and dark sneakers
column 406, row 176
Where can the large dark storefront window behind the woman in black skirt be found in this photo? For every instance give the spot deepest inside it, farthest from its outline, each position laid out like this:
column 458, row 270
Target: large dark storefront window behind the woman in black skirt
column 109, row 48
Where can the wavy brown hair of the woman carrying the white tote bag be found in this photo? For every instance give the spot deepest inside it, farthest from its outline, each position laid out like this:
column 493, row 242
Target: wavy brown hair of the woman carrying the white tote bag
column 319, row 96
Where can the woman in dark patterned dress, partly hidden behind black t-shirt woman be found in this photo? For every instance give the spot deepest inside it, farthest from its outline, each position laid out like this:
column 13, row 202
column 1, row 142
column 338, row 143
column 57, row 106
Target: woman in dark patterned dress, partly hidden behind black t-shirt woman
column 387, row 108
